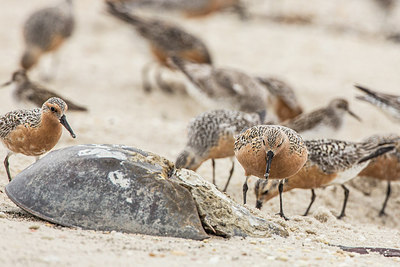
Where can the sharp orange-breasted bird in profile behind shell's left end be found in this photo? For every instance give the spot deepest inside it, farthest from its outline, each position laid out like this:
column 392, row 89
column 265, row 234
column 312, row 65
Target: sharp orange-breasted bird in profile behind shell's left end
column 33, row 132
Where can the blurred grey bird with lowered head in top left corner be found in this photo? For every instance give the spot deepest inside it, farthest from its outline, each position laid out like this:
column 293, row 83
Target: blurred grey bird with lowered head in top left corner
column 45, row 31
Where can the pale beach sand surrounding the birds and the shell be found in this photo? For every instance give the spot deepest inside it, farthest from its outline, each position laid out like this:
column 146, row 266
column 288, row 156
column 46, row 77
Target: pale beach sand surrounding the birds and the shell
column 100, row 67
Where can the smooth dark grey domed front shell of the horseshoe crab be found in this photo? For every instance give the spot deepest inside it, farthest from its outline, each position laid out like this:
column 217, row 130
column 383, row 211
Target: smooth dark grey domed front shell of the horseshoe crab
column 107, row 187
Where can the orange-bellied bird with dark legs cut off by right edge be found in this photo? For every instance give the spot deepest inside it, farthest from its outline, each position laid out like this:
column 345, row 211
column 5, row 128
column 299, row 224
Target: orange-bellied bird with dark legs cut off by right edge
column 385, row 167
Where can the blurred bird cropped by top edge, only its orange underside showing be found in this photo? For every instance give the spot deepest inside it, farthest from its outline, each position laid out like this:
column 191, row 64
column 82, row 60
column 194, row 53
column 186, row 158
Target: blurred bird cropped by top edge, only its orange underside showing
column 190, row 8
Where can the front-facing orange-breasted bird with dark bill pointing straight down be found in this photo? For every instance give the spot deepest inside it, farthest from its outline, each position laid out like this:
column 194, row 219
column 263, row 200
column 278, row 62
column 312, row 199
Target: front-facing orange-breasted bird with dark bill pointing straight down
column 270, row 151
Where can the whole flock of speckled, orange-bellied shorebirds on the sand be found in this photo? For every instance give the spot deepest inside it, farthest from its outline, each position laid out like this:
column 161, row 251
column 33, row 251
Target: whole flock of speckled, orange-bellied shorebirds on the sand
column 258, row 120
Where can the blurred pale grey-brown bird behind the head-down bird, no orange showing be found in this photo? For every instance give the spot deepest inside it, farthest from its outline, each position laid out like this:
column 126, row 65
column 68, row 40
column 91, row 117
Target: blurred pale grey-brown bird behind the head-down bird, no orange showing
column 216, row 87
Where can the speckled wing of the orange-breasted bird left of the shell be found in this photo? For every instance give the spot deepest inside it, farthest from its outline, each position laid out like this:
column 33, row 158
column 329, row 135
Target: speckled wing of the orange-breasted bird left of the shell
column 8, row 122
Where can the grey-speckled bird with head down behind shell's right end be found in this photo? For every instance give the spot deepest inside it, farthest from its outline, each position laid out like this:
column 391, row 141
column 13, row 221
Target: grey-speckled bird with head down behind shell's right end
column 211, row 135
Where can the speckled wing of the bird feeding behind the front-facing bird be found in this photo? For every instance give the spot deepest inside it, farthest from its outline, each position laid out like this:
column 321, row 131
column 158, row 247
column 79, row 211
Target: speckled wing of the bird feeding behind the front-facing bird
column 335, row 155
